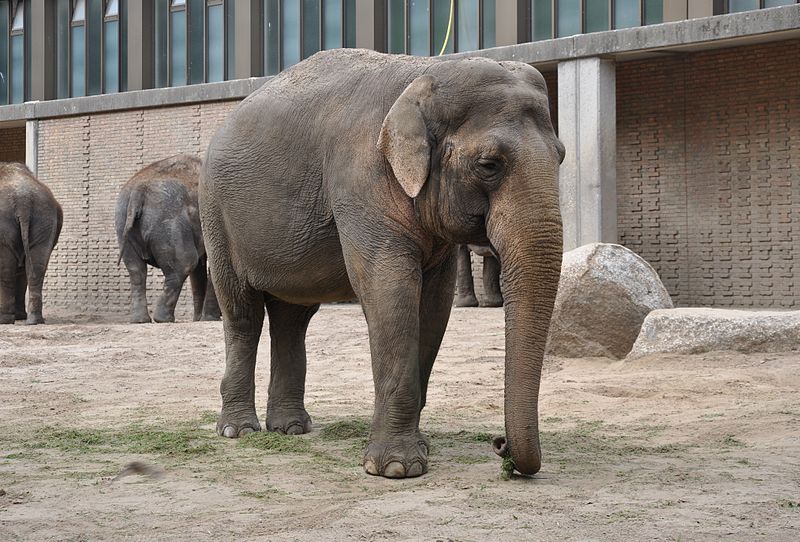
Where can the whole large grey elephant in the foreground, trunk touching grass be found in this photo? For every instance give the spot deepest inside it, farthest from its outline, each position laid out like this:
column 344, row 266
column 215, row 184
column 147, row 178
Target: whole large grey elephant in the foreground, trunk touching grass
column 355, row 174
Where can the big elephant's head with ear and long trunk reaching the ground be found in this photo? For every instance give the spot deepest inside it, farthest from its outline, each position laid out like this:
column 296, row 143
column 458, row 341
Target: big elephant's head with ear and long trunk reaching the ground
column 472, row 142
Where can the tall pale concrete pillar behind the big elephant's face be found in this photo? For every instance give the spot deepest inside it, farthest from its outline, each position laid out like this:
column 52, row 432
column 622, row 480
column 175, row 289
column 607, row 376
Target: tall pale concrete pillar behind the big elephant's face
column 587, row 127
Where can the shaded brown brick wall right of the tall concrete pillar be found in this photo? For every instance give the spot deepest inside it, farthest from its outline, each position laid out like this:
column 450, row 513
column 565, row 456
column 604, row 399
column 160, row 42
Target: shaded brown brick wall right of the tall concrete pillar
column 708, row 173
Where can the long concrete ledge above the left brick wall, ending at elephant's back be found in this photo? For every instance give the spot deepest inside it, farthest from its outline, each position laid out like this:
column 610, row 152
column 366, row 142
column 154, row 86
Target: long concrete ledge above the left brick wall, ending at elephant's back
column 138, row 99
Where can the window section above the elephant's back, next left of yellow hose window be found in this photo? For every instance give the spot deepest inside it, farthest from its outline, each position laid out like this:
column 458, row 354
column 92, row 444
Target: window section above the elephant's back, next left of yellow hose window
column 296, row 29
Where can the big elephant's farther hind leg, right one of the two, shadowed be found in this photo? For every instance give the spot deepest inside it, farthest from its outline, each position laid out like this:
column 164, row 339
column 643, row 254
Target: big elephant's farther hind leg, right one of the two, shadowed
column 288, row 323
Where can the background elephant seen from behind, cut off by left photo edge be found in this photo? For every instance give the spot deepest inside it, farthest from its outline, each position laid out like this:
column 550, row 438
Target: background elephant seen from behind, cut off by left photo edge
column 30, row 223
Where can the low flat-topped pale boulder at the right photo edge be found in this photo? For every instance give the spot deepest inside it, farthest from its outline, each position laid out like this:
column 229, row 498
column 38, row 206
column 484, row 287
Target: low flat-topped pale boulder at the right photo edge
column 696, row 330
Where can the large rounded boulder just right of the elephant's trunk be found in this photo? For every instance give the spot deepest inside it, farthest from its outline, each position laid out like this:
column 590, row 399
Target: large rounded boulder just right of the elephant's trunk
column 606, row 290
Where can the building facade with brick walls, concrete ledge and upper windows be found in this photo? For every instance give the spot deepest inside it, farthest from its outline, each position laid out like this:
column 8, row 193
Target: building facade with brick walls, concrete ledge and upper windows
column 681, row 118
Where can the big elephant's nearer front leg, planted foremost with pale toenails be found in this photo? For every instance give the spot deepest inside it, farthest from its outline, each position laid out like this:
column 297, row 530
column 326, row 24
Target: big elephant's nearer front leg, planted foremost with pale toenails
column 389, row 292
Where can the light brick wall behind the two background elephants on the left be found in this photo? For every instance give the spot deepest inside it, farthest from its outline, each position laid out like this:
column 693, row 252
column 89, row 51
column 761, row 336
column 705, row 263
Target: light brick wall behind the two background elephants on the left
column 85, row 160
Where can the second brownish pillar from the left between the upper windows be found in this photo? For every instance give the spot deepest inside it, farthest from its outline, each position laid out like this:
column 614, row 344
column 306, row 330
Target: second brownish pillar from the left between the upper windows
column 140, row 45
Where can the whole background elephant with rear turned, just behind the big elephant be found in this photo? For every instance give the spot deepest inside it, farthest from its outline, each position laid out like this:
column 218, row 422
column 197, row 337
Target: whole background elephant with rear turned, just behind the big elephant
column 157, row 223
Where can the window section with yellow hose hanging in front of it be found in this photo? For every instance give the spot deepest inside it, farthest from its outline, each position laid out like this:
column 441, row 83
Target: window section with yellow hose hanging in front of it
column 420, row 27
